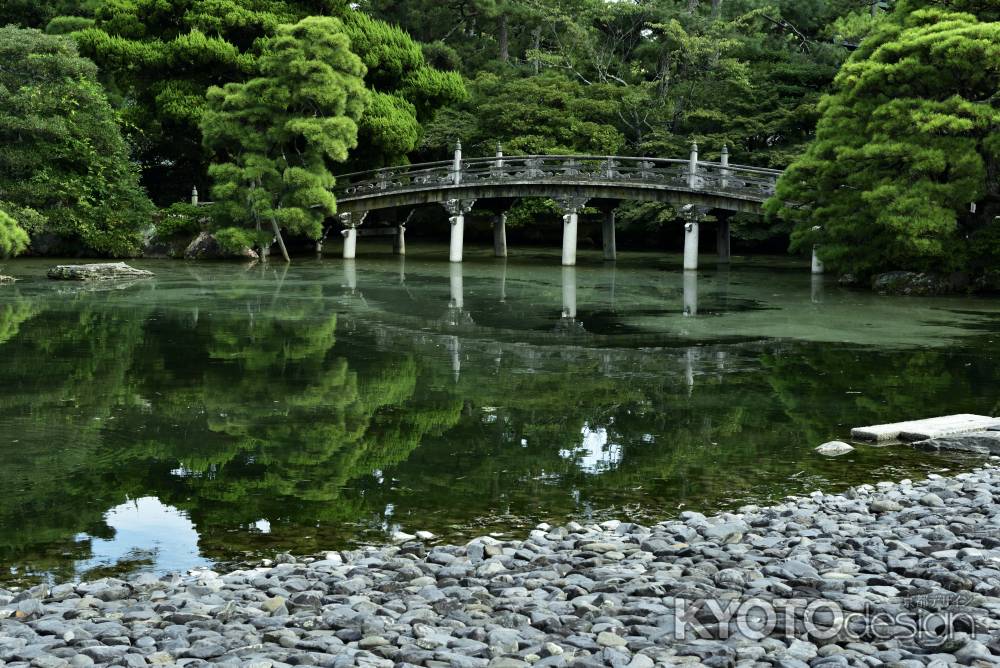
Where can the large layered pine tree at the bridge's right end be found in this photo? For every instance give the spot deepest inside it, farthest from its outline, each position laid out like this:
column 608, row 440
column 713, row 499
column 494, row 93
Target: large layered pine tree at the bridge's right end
column 906, row 143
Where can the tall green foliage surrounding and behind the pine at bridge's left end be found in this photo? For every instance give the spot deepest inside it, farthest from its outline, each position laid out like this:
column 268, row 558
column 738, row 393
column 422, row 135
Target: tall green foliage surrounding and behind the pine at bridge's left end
column 160, row 58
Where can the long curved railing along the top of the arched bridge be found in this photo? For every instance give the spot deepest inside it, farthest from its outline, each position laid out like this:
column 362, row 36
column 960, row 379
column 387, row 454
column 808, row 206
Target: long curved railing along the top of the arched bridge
column 678, row 174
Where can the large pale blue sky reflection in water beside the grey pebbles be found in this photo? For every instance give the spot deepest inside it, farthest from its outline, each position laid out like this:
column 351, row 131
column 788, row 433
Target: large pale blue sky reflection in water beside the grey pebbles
column 147, row 529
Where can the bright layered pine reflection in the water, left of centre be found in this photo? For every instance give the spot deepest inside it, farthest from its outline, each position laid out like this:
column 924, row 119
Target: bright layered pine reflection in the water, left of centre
column 284, row 423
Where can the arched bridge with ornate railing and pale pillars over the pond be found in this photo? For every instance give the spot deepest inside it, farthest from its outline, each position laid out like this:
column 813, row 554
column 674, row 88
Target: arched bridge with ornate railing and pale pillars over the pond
column 574, row 181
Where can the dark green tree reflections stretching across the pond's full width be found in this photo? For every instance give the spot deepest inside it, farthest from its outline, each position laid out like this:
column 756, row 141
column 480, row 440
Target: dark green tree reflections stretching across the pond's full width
column 242, row 404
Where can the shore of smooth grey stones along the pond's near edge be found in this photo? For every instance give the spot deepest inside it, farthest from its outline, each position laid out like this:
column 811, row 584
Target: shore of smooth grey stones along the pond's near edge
column 903, row 574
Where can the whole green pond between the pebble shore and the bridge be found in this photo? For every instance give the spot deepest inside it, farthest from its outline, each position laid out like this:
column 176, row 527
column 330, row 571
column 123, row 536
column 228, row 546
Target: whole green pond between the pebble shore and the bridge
column 221, row 413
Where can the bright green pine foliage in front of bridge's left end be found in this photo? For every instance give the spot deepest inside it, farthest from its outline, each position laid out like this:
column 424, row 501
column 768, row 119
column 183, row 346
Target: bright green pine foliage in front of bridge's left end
column 278, row 134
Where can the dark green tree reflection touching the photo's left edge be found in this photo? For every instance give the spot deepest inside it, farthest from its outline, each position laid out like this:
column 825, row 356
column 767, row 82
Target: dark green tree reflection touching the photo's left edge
column 65, row 373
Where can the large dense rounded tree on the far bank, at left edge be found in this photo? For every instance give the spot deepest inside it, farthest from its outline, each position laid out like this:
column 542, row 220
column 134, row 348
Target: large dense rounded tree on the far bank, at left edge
column 64, row 156
